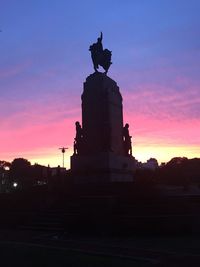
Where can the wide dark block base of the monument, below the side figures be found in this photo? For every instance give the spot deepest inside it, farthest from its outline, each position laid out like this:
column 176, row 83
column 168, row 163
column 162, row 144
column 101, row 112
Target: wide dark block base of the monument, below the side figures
column 102, row 168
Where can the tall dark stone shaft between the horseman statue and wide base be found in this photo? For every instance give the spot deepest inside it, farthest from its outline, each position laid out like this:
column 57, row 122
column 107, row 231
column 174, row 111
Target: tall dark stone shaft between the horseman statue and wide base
column 102, row 117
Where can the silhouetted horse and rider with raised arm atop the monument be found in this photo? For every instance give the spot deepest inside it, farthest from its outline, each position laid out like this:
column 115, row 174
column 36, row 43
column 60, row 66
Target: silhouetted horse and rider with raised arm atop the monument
column 99, row 56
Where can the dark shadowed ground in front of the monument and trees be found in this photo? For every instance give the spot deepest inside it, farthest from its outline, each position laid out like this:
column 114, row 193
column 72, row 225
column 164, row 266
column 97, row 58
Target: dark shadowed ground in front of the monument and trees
column 99, row 228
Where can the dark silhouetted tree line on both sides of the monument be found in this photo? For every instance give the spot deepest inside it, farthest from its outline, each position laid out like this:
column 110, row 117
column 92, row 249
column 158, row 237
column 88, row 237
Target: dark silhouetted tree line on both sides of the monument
column 179, row 171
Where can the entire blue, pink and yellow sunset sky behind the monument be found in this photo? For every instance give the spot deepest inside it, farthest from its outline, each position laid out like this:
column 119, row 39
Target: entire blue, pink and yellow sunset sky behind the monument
column 44, row 60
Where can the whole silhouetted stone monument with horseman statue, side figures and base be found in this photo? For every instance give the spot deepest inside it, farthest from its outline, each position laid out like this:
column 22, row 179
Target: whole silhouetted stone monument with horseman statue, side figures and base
column 102, row 146
